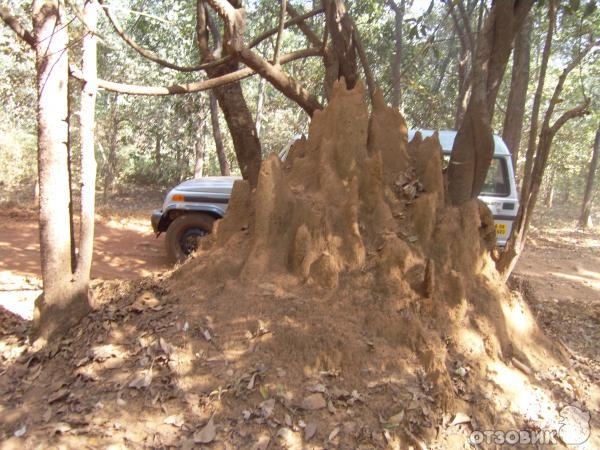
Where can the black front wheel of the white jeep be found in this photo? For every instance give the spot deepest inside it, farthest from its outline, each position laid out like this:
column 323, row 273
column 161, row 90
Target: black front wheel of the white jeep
column 183, row 233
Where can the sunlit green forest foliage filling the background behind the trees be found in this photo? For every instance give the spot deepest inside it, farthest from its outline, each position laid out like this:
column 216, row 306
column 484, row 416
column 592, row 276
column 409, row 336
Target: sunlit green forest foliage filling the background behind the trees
column 128, row 128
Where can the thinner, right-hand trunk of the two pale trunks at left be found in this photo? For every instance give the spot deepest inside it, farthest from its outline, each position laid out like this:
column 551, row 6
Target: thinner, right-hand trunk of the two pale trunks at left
column 88, row 157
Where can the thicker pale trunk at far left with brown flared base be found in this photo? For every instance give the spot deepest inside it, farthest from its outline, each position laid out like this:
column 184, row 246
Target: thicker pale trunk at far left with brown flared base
column 62, row 304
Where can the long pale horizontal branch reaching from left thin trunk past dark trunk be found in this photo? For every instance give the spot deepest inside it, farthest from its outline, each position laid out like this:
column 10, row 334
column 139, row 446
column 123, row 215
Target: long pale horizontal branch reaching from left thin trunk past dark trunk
column 195, row 86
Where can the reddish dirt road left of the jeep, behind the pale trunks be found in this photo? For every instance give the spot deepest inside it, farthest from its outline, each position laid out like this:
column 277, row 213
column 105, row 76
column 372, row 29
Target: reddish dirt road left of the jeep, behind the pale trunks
column 124, row 248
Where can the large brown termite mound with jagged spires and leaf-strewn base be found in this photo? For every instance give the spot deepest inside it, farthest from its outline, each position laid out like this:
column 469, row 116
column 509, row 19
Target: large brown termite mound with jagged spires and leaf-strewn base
column 341, row 304
